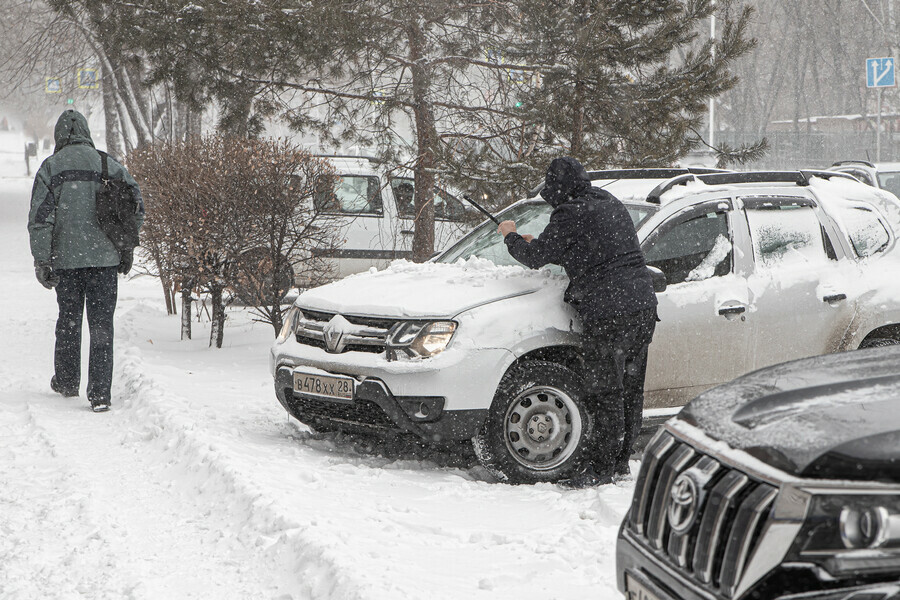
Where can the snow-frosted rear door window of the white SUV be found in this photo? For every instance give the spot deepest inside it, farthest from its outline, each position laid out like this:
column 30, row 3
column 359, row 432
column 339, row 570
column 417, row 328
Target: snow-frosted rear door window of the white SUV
column 785, row 234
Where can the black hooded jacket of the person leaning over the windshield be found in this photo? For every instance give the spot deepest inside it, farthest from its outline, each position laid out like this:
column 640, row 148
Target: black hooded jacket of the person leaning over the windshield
column 591, row 235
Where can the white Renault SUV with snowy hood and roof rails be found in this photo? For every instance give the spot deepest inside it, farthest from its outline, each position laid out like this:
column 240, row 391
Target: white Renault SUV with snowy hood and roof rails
column 761, row 268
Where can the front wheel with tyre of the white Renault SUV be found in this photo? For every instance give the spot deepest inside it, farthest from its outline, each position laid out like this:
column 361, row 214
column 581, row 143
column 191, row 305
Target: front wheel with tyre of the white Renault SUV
column 537, row 425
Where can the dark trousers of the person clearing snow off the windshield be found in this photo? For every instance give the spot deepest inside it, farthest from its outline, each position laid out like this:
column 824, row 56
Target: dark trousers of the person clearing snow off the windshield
column 615, row 364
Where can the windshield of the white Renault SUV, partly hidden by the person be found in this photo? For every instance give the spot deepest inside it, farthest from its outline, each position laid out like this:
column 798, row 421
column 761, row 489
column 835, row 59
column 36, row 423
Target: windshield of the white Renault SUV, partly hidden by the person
column 530, row 218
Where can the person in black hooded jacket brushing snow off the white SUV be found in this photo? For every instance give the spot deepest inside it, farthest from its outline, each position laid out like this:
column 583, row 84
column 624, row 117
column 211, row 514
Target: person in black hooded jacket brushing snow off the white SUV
column 592, row 236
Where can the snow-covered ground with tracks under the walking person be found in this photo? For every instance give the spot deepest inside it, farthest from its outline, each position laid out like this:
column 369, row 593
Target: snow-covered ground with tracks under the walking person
column 197, row 485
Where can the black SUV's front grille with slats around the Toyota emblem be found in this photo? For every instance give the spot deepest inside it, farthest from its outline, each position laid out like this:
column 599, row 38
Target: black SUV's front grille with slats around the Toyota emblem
column 732, row 509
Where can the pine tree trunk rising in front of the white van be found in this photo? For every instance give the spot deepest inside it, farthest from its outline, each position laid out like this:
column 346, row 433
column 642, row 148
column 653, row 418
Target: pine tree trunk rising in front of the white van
column 426, row 139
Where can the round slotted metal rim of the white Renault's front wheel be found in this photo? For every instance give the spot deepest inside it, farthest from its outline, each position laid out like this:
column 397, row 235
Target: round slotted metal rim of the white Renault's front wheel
column 542, row 428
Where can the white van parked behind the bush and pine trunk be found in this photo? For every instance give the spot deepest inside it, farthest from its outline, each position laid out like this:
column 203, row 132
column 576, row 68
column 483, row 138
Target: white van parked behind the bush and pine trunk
column 375, row 206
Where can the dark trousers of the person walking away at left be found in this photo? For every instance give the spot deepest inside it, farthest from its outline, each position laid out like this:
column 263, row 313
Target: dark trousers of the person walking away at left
column 96, row 289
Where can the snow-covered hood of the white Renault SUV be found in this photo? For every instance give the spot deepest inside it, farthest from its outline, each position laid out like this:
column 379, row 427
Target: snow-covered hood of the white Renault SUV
column 410, row 290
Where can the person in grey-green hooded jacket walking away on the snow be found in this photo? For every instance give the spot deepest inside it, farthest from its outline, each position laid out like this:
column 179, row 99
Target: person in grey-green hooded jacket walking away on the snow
column 73, row 255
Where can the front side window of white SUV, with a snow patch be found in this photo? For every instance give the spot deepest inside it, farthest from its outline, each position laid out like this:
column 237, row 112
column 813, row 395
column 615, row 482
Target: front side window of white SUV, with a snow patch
column 693, row 249
